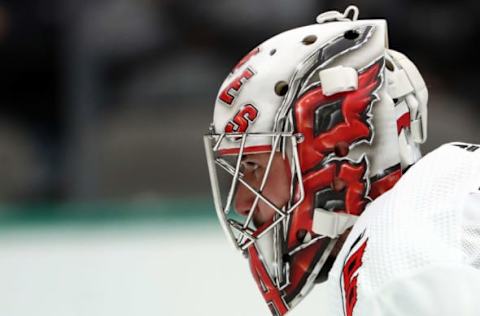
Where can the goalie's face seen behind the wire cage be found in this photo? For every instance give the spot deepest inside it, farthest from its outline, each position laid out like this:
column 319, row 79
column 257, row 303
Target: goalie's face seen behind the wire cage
column 277, row 187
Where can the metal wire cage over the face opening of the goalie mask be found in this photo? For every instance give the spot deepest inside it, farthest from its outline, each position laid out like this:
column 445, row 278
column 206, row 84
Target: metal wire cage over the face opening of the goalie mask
column 225, row 168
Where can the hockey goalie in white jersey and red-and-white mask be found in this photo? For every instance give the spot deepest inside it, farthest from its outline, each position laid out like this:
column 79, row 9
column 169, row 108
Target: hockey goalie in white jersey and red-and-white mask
column 312, row 136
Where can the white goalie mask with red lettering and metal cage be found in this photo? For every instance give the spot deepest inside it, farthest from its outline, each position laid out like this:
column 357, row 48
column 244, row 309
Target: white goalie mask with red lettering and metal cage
column 341, row 114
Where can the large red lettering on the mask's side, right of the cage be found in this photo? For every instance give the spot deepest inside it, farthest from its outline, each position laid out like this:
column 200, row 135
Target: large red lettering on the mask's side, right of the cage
column 353, row 128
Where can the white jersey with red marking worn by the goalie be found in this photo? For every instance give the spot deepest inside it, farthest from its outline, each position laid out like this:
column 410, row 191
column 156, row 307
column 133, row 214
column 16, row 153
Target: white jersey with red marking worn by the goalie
column 416, row 249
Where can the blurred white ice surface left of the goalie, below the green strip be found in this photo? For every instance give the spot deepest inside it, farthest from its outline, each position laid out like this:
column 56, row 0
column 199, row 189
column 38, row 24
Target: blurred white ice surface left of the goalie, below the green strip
column 123, row 270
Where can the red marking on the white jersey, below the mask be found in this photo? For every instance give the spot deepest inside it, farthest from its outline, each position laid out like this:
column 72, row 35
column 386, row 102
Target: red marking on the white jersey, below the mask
column 350, row 277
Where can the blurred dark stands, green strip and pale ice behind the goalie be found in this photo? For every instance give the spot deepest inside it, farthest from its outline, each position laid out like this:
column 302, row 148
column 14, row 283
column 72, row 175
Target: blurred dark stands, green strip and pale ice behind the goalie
column 105, row 205
